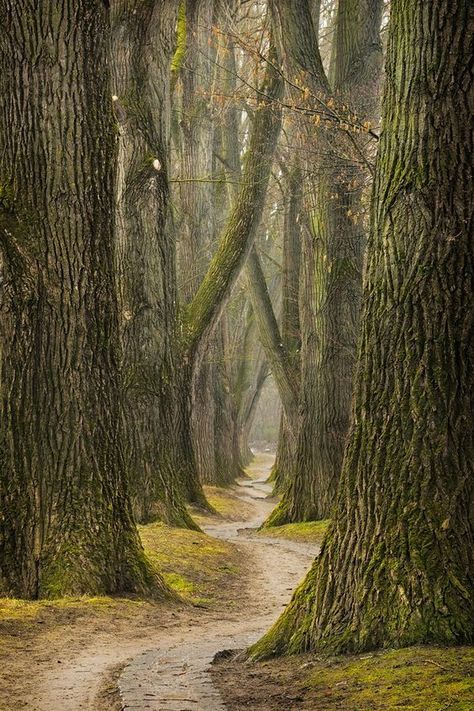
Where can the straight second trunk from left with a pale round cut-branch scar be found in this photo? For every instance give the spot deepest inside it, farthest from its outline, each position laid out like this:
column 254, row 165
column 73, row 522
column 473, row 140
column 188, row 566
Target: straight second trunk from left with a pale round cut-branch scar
column 143, row 38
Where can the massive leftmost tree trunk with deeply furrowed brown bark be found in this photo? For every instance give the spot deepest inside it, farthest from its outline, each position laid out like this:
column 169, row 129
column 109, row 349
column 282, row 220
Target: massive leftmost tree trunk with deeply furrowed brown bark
column 65, row 524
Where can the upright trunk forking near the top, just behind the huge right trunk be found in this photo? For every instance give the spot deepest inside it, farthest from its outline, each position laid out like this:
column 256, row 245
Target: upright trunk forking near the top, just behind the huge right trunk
column 333, row 244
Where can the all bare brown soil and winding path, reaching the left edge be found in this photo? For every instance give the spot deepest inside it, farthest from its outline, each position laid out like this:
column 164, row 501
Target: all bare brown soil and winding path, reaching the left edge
column 153, row 656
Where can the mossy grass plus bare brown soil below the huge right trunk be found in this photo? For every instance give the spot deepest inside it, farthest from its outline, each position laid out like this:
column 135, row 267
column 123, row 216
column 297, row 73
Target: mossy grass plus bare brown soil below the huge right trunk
column 414, row 679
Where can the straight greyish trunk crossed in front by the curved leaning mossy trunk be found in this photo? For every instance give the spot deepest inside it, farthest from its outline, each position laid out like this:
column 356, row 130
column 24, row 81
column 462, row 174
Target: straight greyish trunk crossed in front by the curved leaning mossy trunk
column 203, row 209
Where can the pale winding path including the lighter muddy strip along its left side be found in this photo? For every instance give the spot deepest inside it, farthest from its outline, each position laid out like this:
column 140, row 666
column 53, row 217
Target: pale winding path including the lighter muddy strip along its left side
column 164, row 665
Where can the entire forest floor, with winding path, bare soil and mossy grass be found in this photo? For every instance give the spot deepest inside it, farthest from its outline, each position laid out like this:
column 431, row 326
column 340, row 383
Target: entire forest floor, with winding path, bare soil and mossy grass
column 110, row 654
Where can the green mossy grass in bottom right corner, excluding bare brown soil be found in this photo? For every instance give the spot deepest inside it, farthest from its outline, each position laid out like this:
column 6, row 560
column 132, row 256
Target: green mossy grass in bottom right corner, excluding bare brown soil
column 414, row 679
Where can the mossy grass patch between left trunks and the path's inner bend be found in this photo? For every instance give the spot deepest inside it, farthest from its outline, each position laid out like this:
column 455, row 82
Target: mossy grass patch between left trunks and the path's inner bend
column 194, row 564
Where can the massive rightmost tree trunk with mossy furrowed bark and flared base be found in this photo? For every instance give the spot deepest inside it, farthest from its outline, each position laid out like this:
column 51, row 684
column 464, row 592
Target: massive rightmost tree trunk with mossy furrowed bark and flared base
column 397, row 566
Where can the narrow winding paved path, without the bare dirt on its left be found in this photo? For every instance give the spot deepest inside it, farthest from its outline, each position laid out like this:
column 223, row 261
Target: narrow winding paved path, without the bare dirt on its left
column 174, row 677
